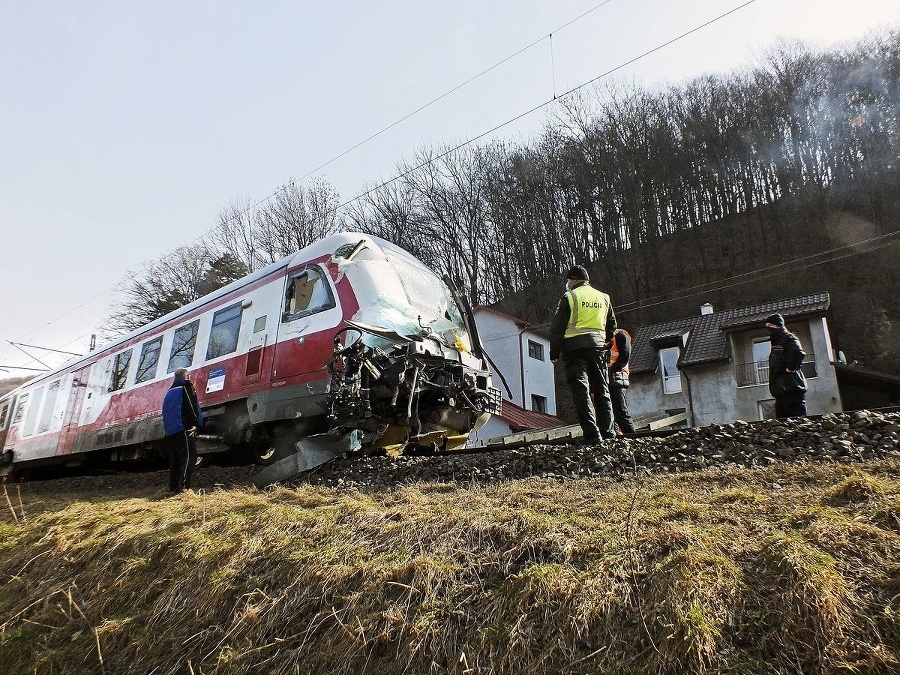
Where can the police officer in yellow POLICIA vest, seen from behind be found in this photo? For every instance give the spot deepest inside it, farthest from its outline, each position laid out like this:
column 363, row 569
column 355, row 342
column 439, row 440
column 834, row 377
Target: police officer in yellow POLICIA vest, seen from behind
column 582, row 326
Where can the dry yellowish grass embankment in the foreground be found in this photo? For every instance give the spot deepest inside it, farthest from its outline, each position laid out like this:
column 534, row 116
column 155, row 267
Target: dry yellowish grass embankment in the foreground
column 785, row 569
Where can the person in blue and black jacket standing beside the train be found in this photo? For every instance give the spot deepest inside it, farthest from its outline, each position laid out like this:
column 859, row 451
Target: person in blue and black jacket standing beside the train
column 182, row 418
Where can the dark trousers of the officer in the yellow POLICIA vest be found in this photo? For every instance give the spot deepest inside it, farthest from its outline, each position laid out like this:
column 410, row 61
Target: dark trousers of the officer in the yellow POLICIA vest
column 586, row 374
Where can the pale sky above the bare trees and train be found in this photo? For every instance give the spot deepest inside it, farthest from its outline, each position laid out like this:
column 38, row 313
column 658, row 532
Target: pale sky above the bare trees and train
column 126, row 127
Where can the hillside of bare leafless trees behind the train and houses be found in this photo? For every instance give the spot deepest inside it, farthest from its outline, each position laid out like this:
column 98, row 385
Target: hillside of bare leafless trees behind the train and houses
column 735, row 188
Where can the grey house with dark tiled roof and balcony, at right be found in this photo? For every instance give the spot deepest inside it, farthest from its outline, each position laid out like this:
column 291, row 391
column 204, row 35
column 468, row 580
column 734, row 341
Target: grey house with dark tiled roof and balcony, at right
column 713, row 367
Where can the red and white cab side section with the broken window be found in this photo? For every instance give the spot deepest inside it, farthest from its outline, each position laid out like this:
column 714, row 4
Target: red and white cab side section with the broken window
column 309, row 312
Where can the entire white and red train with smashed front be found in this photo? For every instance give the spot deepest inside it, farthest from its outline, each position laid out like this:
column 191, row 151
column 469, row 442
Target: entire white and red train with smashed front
column 351, row 339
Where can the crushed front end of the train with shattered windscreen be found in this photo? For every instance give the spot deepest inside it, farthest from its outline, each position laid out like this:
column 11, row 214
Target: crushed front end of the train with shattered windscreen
column 408, row 369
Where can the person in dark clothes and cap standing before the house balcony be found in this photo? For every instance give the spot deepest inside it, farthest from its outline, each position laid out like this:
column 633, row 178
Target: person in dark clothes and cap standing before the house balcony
column 787, row 383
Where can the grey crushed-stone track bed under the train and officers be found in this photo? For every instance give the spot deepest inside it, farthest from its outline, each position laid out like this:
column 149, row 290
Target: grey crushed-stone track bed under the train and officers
column 555, row 453
